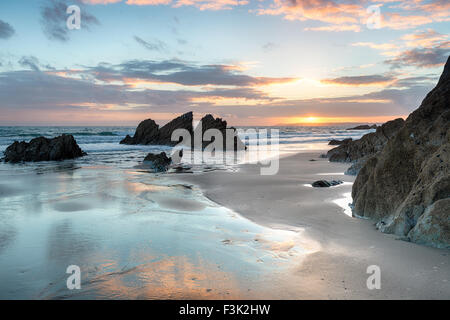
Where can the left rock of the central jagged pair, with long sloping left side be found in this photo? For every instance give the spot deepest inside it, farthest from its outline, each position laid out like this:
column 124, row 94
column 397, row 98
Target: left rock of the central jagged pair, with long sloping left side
column 148, row 132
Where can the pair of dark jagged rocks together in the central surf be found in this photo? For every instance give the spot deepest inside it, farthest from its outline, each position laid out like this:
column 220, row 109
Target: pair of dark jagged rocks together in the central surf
column 148, row 132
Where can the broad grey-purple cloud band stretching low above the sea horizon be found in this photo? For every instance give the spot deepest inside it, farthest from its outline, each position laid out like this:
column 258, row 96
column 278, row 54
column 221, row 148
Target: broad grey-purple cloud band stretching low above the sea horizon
column 42, row 96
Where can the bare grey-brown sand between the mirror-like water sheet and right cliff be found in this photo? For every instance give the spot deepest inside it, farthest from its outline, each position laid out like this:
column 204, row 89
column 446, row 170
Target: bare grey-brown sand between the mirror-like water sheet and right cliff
column 340, row 247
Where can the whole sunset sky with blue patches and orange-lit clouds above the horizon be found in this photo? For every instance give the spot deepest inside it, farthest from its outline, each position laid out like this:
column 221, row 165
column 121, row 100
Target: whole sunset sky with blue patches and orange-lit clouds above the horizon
column 255, row 62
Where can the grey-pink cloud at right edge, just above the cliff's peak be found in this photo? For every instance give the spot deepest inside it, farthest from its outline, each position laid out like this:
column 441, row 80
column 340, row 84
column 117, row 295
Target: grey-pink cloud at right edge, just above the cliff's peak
column 422, row 57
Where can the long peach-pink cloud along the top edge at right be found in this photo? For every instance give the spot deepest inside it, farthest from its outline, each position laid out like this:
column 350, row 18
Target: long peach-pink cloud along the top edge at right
column 349, row 15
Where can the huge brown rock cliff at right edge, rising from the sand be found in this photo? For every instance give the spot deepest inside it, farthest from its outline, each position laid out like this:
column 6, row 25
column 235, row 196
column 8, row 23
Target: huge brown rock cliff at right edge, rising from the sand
column 406, row 186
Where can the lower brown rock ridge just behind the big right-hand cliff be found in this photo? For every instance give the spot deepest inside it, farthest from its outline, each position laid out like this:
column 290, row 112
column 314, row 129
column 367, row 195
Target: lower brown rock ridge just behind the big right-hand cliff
column 368, row 145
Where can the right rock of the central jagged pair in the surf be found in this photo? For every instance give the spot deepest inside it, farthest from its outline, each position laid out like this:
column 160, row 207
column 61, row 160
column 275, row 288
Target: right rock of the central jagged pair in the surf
column 209, row 122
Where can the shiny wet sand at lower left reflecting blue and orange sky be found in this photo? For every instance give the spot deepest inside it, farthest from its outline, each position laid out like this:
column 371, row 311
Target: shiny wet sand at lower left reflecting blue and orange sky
column 135, row 236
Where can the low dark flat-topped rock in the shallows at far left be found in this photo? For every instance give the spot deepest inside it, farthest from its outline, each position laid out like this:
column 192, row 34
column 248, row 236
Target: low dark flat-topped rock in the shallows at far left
column 43, row 149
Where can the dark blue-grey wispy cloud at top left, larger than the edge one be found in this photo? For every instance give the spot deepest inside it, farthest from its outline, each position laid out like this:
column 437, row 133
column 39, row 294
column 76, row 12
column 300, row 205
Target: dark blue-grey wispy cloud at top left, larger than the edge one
column 54, row 17
